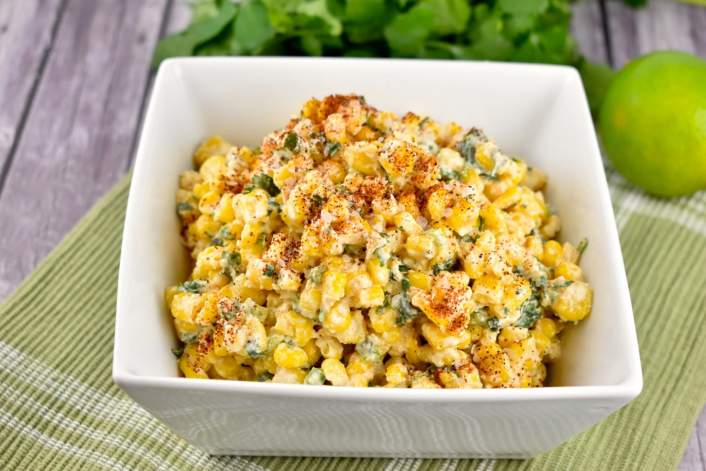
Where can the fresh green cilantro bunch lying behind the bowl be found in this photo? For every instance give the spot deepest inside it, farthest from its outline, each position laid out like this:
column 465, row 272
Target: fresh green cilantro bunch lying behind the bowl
column 504, row 30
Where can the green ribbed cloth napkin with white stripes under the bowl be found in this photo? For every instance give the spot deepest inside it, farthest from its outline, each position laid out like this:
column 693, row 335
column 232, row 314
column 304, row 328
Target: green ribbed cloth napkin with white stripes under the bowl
column 59, row 408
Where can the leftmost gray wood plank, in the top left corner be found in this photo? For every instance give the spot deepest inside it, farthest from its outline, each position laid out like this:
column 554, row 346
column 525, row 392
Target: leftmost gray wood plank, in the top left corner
column 26, row 32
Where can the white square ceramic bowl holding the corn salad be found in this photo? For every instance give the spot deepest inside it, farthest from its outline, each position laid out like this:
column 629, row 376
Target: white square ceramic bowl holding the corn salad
column 534, row 111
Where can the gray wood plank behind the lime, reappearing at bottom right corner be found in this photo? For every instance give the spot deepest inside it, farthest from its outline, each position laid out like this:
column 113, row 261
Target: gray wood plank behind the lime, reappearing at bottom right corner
column 662, row 25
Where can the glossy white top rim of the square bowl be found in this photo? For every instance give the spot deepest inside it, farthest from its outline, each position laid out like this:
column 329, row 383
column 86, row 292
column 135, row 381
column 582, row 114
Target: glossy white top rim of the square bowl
column 627, row 389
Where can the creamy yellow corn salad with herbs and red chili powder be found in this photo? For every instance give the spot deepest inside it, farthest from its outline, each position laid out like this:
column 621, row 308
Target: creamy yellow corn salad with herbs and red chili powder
column 359, row 248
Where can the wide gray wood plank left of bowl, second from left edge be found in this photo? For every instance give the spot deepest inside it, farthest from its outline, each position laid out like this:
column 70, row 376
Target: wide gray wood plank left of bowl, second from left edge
column 79, row 132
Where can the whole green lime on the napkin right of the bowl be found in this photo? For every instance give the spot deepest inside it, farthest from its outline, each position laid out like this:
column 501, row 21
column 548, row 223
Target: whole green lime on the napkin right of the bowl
column 653, row 123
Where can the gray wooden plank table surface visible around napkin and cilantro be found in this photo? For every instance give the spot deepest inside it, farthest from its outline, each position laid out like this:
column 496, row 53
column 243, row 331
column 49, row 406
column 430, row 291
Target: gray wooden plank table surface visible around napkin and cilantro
column 74, row 79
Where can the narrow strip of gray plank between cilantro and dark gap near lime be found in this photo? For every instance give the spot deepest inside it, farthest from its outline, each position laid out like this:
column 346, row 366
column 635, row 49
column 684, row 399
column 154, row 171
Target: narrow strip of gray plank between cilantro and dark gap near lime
column 587, row 28
